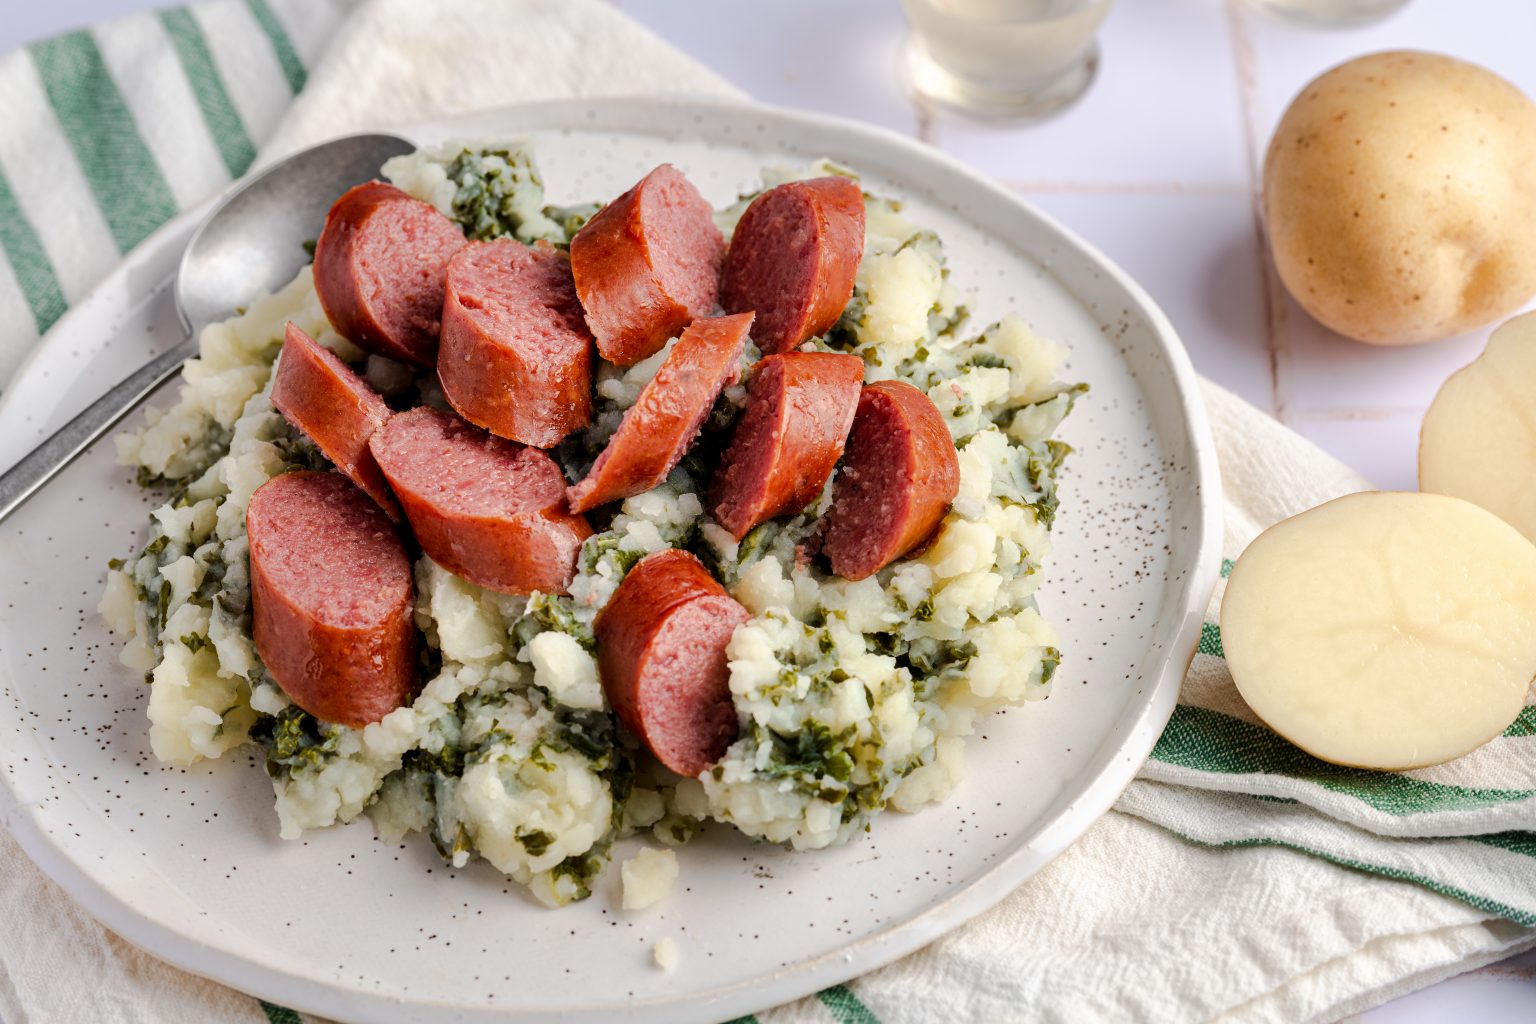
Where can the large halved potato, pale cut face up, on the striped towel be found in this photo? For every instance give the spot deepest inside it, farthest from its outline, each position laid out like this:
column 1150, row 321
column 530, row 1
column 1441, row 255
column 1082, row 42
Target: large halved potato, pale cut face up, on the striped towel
column 1385, row 630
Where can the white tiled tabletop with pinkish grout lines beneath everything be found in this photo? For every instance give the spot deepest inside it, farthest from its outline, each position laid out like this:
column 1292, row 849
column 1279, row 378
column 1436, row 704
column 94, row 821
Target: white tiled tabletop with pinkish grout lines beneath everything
column 1154, row 167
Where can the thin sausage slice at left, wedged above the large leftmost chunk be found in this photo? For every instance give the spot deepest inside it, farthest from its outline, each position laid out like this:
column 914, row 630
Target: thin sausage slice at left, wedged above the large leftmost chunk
column 331, row 405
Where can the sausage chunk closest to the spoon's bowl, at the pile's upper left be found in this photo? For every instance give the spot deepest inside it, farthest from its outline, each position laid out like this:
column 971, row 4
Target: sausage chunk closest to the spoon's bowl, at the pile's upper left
column 379, row 271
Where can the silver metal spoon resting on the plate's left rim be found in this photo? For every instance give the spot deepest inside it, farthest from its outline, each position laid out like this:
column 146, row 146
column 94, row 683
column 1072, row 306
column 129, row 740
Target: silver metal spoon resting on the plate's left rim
column 250, row 243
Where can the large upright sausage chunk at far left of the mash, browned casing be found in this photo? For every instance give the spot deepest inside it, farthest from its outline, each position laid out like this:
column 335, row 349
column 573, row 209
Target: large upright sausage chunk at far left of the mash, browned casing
column 331, row 598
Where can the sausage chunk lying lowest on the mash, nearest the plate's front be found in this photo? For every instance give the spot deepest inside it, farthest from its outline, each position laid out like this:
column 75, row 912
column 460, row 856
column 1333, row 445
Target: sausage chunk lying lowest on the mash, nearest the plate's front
column 661, row 655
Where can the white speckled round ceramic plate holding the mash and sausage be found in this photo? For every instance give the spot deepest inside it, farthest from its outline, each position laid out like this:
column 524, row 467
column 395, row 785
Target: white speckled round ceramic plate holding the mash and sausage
column 188, row 864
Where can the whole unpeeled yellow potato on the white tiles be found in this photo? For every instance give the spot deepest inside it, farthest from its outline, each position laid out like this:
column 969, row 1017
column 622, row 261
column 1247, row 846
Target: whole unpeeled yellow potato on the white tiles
column 1400, row 196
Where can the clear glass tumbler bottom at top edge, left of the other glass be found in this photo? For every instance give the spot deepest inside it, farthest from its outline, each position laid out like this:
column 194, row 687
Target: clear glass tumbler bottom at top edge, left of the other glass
column 1004, row 59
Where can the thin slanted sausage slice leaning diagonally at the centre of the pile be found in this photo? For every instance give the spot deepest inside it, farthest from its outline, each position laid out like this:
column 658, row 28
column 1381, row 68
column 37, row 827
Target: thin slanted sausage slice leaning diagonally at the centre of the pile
column 658, row 429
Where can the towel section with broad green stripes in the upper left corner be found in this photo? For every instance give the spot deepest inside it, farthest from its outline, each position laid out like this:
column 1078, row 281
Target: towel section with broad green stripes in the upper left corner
column 110, row 133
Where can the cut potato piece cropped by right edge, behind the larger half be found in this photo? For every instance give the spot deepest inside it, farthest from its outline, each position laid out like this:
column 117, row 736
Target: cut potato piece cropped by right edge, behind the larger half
column 1480, row 435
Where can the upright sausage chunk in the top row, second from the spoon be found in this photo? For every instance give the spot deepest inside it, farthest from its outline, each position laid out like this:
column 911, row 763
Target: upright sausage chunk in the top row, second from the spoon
column 517, row 355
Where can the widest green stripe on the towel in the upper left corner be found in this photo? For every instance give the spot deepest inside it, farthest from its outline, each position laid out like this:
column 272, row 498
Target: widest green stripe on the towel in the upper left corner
column 119, row 167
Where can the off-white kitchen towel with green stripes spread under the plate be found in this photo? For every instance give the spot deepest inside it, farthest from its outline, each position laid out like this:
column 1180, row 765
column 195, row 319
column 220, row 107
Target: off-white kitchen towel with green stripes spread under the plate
column 1237, row 880
